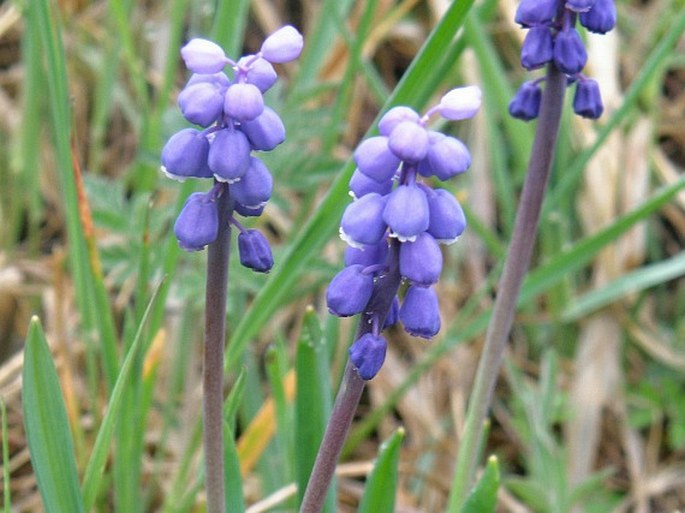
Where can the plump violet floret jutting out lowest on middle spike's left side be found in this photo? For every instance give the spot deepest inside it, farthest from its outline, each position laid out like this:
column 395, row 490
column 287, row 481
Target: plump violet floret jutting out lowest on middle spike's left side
column 349, row 291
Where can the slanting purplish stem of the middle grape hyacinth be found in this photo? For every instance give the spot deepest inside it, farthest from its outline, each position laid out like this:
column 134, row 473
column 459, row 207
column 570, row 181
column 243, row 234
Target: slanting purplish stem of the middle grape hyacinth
column 350, row 391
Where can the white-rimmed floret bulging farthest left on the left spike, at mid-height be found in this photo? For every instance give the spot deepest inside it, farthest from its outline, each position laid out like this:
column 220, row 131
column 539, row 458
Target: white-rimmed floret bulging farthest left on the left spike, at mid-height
column 185, row 155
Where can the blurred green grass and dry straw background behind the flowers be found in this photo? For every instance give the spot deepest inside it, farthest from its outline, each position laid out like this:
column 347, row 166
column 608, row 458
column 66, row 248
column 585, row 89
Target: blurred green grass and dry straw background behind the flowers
column 589, row 413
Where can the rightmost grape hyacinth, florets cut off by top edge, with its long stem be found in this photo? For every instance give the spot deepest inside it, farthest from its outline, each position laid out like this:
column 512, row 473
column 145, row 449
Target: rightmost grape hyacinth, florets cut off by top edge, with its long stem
column 553, row 42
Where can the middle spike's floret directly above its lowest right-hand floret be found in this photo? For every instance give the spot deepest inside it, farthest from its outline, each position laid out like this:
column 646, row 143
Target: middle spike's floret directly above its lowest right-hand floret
column 421, row 260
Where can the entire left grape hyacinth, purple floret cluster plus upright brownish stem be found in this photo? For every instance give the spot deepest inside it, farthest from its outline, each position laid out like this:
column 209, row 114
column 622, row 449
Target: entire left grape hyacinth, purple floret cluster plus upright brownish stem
column 232, row 125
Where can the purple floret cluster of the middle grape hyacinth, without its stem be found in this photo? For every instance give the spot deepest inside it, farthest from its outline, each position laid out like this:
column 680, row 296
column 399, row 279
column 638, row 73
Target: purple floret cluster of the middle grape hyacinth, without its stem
column 393, row 204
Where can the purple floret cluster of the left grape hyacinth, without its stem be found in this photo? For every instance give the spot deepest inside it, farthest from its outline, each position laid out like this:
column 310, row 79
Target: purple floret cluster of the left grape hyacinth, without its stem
column 234, row 123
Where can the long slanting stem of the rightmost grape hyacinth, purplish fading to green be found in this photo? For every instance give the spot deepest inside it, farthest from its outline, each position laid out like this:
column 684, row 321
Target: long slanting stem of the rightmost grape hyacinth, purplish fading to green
column 515, row 268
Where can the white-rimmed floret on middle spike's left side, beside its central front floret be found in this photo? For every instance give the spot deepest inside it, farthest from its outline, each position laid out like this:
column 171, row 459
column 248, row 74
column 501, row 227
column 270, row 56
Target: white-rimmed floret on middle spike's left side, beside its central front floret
column 362, row 222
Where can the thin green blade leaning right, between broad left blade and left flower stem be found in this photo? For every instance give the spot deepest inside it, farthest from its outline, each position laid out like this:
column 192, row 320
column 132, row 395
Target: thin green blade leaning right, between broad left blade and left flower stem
column 96, row 464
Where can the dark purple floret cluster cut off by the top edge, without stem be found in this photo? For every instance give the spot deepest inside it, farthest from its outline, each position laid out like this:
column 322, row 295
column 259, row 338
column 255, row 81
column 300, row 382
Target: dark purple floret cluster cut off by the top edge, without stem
column 552, row 37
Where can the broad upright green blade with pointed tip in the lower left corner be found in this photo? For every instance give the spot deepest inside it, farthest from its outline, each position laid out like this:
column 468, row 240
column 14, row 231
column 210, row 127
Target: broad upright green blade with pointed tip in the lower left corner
column 47, row 427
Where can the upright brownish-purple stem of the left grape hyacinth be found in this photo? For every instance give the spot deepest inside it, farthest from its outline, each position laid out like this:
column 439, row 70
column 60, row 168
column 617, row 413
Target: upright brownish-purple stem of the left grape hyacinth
column 215, row 331
